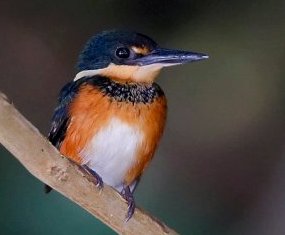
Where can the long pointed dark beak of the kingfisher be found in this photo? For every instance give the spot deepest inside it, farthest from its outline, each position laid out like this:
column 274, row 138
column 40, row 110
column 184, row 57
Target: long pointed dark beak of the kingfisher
column 168, row 57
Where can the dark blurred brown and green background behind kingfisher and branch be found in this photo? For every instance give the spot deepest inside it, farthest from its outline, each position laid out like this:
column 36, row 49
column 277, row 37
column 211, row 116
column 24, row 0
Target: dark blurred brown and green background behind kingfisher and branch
column 220, row 167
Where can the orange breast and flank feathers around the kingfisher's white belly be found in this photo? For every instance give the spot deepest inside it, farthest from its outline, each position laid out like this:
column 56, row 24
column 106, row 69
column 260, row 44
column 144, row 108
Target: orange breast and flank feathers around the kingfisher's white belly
column 91, row 111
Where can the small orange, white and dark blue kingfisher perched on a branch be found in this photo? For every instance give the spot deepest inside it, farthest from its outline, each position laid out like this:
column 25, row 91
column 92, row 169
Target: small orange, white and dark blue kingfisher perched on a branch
column 111, row 116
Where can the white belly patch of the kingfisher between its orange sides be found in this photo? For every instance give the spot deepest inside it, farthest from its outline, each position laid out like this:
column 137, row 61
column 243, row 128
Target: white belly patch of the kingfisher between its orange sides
column 112, row 151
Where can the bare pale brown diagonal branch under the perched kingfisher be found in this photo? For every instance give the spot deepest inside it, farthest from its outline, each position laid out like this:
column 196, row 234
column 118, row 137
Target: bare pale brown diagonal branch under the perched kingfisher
column 43, row 161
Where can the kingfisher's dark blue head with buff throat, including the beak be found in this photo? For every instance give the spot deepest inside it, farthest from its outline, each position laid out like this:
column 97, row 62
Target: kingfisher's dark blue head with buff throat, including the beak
column 128, row 57
